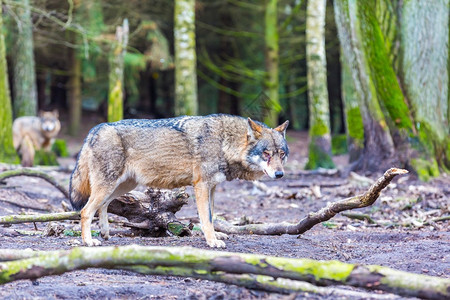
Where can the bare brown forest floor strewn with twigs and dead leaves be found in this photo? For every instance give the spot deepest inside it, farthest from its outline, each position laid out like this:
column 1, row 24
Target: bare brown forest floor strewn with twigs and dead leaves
column 399, row 239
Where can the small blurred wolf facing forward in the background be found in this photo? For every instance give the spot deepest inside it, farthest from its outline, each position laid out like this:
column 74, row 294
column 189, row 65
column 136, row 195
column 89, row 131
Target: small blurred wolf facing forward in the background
column 32, row 133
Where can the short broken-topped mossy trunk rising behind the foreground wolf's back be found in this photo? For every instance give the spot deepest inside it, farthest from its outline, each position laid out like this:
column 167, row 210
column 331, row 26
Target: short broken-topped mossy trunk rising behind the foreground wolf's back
column 116, row 84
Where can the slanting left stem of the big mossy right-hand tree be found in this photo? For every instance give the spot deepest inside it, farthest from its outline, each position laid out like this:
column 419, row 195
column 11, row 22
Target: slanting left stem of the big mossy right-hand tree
column 378, row 143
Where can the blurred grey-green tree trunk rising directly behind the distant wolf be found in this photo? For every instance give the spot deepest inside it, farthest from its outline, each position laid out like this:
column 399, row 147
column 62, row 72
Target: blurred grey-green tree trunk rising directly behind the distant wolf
column 24, row 76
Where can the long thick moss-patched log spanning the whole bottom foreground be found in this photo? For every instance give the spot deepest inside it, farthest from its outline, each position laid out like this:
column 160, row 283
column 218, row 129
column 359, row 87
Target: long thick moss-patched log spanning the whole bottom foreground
column 169, row 260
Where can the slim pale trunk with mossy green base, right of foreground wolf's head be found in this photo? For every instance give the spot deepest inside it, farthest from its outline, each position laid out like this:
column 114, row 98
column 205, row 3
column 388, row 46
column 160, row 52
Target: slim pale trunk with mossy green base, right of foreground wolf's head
column 319, row 113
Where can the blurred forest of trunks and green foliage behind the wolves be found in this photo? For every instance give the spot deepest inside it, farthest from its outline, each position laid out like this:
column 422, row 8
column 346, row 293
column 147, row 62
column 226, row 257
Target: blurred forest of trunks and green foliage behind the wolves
column 381, row 76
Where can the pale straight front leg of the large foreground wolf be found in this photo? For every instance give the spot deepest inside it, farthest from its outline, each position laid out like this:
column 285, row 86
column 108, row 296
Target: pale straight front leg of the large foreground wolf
column 203, row 197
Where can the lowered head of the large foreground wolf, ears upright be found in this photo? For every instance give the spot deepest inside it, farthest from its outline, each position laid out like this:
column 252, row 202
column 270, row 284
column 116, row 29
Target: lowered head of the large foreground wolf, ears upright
column 268, row 150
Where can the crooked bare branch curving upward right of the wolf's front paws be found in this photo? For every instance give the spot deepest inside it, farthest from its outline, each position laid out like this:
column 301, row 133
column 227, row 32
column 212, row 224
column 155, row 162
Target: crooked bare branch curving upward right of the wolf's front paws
column 326, row 213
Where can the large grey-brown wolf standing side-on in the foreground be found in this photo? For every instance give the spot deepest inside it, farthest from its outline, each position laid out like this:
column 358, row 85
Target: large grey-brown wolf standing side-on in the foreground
column 201, row 151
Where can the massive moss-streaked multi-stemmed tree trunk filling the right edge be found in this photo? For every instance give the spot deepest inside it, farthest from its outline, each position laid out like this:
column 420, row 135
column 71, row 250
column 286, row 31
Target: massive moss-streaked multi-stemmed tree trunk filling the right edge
column 393, row 107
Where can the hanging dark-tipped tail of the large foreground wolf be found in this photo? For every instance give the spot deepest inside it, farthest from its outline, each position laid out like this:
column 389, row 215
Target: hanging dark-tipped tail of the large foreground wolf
column 80, row 187
